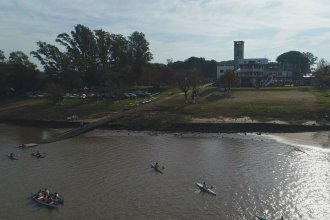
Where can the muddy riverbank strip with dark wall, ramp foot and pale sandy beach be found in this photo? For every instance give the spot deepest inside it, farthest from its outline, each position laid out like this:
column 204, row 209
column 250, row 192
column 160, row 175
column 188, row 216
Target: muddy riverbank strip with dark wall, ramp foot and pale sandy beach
column 307, row 134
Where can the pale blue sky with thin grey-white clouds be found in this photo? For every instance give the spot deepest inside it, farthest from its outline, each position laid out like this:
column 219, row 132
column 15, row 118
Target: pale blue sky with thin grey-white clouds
column 176, row 29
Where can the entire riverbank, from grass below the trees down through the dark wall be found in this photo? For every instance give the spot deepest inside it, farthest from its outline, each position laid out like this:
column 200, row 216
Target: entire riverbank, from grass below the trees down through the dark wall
column 273, row 110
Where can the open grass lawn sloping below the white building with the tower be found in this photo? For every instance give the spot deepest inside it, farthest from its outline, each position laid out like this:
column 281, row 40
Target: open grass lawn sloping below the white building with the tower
column 288, row 104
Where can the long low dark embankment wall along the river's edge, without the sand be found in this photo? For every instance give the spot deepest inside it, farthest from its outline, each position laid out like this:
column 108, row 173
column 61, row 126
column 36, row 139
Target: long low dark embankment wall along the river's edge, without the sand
column 202, row 127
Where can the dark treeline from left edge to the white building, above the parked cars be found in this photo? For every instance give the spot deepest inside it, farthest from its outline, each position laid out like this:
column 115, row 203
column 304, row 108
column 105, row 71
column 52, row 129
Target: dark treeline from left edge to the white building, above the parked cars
column 95, row 59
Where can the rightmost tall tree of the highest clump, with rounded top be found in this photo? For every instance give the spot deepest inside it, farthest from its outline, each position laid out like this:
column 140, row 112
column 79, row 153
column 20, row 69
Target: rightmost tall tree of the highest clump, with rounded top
column 139, row 53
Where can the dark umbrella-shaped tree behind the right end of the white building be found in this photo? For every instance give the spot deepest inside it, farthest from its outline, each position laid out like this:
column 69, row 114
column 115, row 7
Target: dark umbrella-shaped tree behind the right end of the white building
column 297, row 59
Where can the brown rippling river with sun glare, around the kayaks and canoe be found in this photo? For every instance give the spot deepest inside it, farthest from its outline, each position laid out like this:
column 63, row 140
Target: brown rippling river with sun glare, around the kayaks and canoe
column 106, row 174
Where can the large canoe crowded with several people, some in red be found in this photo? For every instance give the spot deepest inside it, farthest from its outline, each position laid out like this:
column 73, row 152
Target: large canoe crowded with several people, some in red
column 52, row 200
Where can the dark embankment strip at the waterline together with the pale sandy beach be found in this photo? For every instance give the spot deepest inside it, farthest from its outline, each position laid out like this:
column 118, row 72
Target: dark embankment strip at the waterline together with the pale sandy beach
column 306, row 136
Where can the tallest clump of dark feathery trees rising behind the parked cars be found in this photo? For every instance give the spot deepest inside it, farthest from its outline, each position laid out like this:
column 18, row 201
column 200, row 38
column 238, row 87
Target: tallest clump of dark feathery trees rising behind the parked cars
column 90, row 56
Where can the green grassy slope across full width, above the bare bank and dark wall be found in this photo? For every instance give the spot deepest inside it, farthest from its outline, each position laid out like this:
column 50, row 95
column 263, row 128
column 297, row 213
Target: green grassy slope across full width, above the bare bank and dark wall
column 287, row 104
